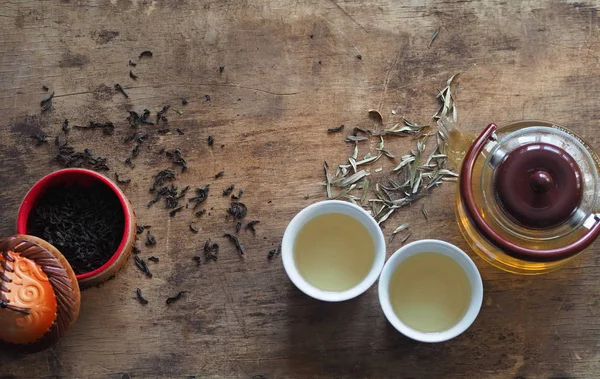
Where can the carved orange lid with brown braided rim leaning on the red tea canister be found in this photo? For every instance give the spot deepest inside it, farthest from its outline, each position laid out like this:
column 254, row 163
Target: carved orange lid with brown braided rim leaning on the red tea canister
column 39, row 293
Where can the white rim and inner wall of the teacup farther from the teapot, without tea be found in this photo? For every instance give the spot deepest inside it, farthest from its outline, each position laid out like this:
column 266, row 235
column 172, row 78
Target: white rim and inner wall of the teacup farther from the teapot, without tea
column 317, row 209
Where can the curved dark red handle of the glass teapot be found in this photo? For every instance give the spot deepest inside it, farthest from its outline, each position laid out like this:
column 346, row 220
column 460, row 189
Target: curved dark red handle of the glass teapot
column 508, row 247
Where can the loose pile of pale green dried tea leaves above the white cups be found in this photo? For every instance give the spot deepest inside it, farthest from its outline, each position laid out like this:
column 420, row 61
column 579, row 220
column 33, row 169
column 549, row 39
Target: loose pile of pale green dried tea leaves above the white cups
column 416, row 173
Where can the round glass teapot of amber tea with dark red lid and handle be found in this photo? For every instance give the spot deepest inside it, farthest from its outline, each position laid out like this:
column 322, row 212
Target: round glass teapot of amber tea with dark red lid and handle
column 528, row 198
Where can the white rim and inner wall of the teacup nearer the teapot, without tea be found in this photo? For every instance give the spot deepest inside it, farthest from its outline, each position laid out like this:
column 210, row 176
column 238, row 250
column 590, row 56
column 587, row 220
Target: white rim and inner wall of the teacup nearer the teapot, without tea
column 459, row 256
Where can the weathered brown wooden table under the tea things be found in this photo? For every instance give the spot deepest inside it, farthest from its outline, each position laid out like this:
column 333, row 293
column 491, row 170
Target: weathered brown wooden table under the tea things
column 291, row 69
